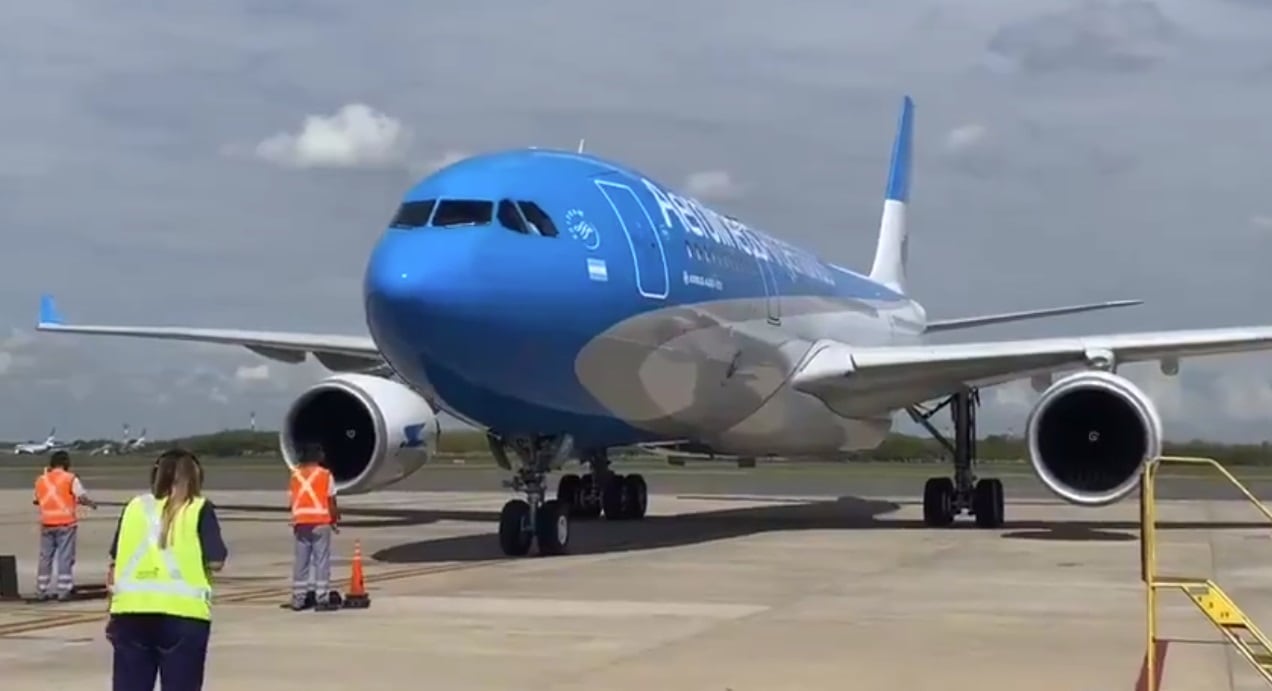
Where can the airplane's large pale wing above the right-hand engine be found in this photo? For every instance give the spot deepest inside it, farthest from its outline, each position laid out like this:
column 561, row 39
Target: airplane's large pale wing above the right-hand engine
column 862, row 381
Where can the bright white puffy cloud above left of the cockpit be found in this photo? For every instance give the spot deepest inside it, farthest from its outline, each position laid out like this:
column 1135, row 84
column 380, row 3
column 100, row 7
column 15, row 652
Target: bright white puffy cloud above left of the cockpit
column 356, row 137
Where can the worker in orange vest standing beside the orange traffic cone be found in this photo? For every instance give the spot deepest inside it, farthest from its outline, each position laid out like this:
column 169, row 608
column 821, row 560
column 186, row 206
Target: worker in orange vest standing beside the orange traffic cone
column 315, row 516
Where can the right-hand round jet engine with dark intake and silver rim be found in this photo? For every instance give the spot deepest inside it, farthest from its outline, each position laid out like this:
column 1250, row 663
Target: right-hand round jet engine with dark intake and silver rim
column 1091, row 435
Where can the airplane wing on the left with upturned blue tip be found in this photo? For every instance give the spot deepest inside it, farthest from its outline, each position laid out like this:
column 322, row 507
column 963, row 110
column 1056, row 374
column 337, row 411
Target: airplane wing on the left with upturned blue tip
column 336, row 353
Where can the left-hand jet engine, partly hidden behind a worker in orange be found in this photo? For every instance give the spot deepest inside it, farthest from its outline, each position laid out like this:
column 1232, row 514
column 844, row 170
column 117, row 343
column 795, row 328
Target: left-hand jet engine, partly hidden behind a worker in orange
column 375, row 432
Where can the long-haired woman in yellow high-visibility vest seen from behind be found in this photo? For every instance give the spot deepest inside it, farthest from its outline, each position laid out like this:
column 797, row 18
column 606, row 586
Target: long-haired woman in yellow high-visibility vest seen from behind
column 166, row 548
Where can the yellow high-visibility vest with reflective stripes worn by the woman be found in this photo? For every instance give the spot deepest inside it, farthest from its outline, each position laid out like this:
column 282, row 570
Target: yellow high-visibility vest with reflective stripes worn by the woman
column 149, row 580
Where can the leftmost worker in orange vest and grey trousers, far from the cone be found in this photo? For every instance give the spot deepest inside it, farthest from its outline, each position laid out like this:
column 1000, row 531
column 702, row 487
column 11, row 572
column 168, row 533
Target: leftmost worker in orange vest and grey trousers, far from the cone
column 59, row 494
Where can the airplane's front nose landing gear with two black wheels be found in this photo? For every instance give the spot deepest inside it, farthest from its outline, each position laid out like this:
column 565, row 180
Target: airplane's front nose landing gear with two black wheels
column 534, row 520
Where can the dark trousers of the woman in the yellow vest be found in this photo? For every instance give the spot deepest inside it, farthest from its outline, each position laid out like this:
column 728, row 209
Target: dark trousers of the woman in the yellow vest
column 170, row 648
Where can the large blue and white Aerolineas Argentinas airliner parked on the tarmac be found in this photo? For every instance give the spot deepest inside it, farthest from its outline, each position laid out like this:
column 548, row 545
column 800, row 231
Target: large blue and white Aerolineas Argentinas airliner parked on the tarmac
column 568, row 305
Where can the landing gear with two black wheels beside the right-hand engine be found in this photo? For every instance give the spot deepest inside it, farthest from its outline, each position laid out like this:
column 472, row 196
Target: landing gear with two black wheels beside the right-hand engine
column 946, row 498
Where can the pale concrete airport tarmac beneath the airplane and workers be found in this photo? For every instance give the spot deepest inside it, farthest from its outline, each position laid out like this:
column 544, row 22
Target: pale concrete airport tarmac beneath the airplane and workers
column 733, row 591
